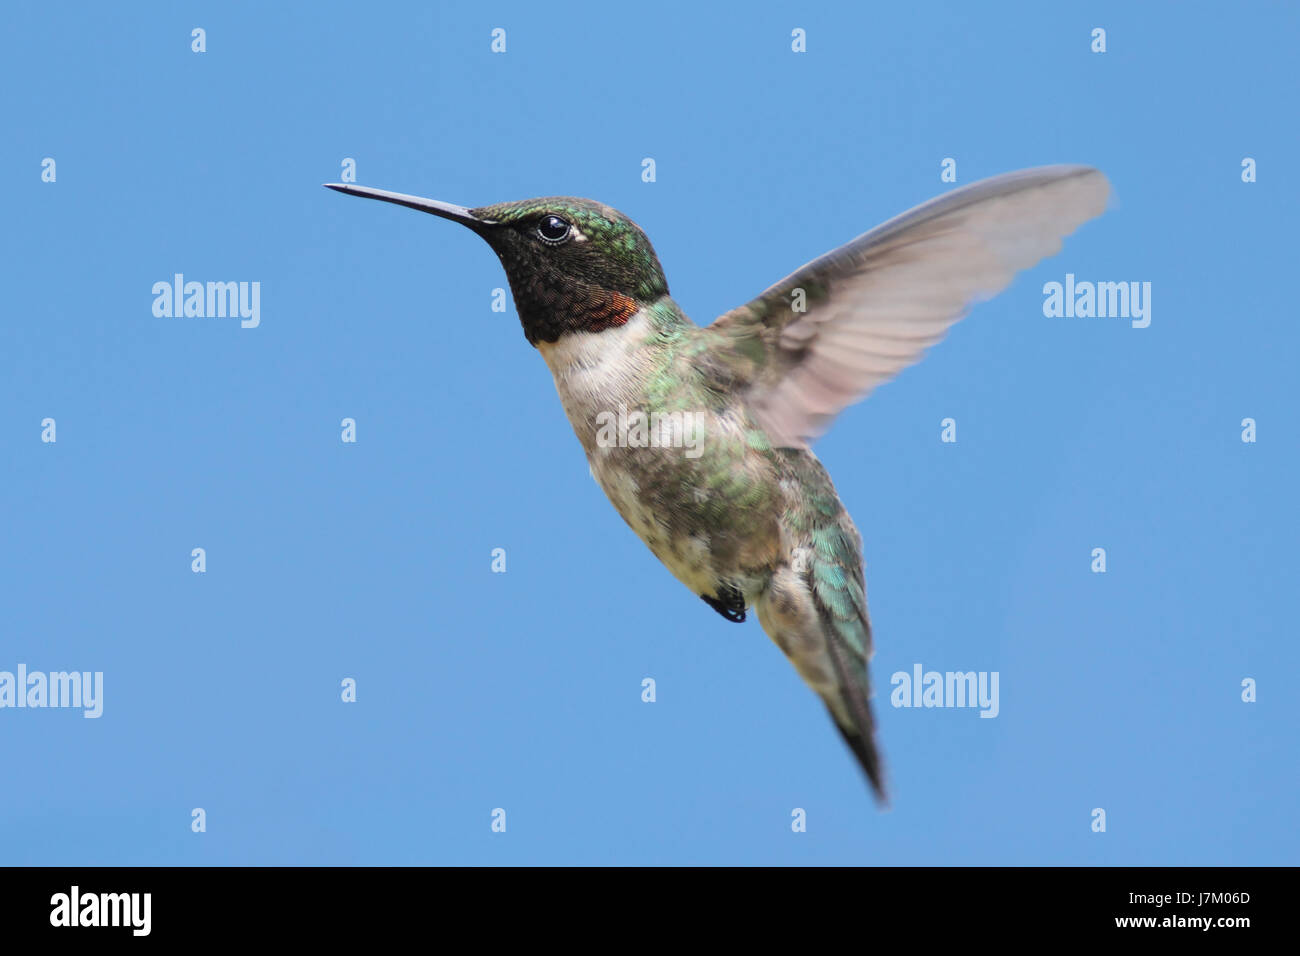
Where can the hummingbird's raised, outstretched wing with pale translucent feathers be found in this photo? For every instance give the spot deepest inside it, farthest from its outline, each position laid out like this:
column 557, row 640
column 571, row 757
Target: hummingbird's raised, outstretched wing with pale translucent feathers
column 877, row 304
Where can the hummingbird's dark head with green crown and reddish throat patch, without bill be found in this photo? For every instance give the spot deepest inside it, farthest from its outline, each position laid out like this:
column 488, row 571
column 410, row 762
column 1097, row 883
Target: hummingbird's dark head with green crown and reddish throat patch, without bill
column 574, row 265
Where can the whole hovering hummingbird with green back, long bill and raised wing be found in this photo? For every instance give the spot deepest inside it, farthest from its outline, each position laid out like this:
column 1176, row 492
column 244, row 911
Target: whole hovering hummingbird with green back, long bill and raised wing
column 751, row 518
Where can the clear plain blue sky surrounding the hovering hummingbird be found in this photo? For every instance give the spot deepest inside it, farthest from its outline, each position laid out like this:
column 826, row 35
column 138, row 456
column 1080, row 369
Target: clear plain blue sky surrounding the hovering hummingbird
column 523, row 691
